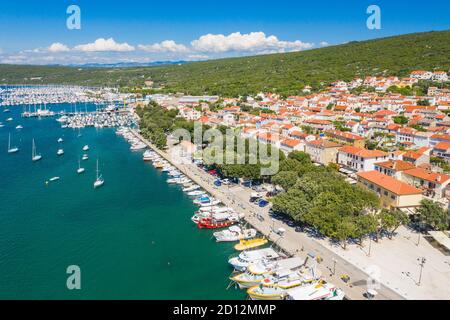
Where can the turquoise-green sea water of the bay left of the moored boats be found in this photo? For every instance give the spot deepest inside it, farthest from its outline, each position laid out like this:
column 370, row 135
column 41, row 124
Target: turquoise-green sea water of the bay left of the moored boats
column 132, row 239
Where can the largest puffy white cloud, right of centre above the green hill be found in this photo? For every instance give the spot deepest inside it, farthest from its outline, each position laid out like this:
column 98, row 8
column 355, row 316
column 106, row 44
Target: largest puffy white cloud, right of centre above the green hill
column 251, row 42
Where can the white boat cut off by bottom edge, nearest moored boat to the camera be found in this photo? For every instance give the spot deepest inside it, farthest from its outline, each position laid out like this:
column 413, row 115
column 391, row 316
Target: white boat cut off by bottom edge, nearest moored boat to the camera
column 320, row 290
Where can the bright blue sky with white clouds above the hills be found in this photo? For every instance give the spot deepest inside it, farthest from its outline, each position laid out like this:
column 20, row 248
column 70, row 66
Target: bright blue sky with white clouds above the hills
column 167, row 30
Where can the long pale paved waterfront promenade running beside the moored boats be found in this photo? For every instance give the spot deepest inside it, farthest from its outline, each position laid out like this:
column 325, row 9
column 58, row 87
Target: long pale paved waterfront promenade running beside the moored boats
column 332, row 266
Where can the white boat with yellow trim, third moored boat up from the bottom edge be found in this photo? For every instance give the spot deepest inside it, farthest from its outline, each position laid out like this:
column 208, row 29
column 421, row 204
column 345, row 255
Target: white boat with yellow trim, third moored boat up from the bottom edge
column 257, row 272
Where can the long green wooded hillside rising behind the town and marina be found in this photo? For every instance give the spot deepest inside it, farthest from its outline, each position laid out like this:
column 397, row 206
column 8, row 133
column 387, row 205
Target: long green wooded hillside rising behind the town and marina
column 284, row 73
